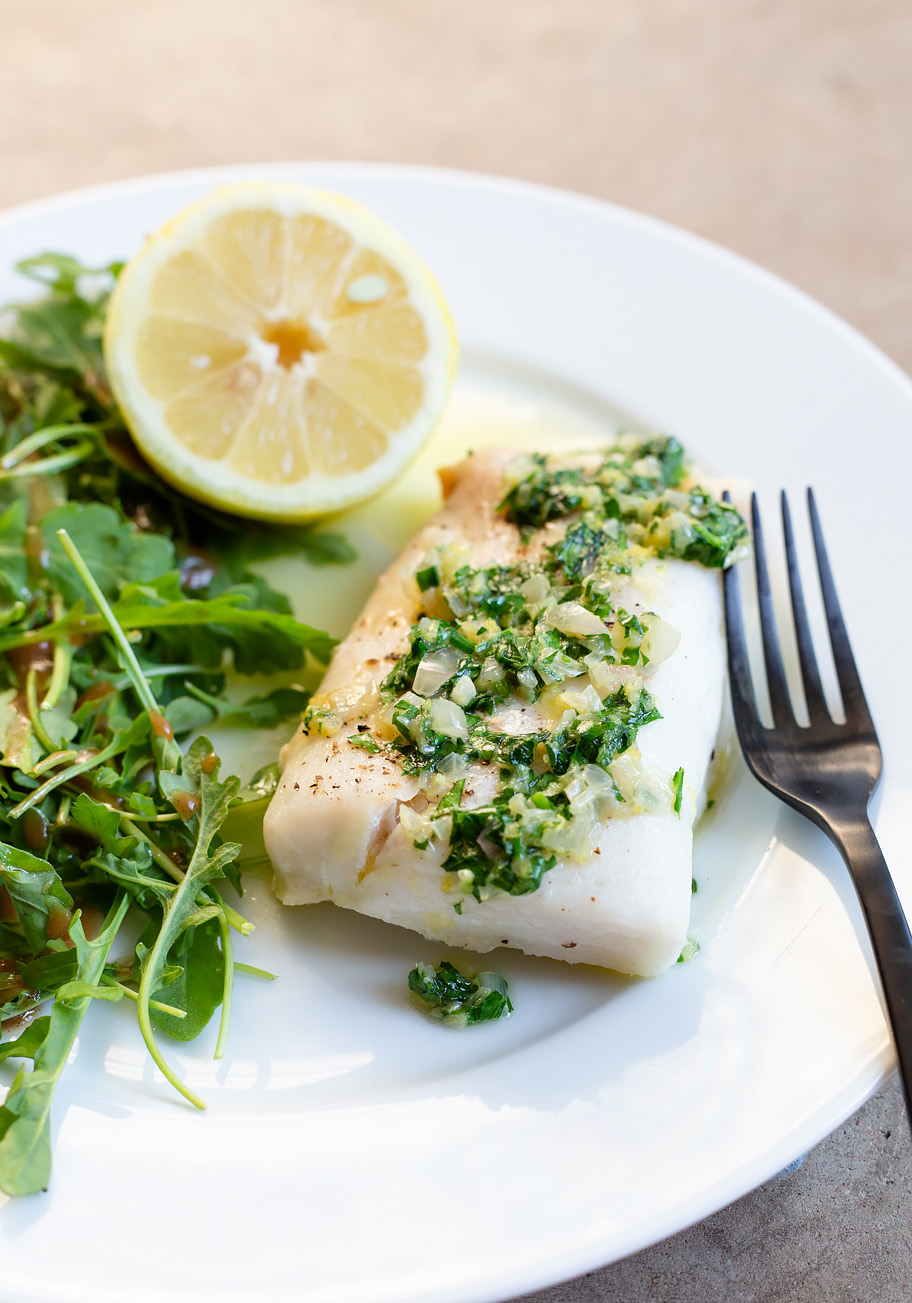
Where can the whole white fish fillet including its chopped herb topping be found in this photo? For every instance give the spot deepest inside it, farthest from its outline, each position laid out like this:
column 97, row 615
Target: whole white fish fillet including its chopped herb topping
column 583, row 852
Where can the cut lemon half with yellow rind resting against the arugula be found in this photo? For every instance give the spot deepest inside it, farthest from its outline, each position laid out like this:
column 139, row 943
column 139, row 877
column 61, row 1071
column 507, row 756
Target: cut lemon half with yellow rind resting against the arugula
column 279, row 351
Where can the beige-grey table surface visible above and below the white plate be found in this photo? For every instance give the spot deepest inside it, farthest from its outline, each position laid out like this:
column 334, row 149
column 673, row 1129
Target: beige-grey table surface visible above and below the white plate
column 780, row 128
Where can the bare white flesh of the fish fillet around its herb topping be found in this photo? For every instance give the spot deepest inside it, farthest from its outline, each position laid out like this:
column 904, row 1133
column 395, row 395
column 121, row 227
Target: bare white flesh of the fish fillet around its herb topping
column 335, row 828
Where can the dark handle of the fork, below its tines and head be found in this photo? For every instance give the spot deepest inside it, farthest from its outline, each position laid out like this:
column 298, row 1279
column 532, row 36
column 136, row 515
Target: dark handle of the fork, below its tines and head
column 889, row 931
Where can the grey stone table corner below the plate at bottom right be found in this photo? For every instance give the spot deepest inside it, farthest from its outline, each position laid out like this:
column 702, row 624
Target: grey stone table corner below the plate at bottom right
column 837, row 1229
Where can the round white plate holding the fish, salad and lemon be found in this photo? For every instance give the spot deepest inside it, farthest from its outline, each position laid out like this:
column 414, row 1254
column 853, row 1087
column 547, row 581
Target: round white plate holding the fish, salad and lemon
column 355, row 1154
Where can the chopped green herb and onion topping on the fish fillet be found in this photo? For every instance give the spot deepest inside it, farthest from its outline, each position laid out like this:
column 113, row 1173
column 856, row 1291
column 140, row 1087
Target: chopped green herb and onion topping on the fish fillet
column 550, row 631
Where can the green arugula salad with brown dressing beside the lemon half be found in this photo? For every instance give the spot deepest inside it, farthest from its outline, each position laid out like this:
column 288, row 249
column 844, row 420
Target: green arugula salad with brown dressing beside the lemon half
column 130, row 617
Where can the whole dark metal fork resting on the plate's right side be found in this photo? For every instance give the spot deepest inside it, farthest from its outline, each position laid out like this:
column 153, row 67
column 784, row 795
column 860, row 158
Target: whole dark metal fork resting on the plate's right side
column 827, row 771
